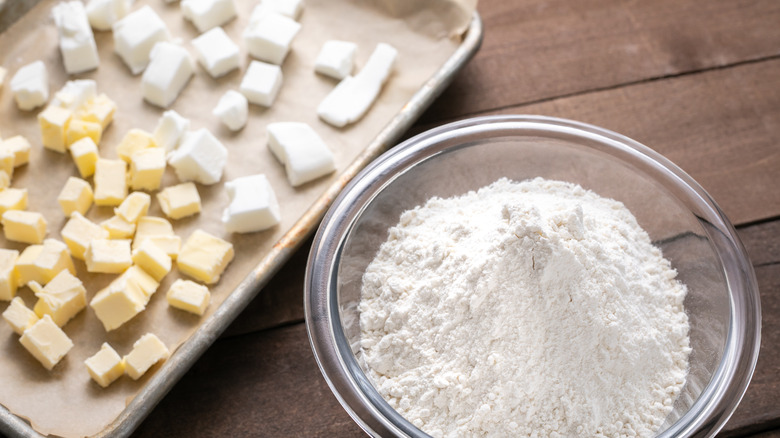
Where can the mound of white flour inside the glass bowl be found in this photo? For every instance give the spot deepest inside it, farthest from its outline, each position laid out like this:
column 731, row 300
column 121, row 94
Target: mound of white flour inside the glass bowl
column 524, row 309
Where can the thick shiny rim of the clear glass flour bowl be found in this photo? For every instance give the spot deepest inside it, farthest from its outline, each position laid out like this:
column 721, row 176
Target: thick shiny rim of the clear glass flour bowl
column 351, row 386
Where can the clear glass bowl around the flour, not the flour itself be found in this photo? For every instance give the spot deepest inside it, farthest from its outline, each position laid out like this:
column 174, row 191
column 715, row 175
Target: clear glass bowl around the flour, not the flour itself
column 722, row 302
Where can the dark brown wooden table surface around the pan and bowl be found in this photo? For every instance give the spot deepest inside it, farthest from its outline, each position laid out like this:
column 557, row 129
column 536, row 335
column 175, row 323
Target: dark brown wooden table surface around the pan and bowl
column 698, row 81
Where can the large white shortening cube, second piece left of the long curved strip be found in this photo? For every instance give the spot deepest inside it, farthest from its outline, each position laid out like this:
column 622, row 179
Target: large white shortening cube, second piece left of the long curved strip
column 270, row 37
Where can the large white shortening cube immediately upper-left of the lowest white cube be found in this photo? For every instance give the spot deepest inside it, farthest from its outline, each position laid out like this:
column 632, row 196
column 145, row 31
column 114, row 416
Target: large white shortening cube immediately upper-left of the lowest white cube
column 200, row 158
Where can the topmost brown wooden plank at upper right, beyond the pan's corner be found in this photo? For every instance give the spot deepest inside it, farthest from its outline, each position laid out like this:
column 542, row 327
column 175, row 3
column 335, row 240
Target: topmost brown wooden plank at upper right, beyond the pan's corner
column 536, row 50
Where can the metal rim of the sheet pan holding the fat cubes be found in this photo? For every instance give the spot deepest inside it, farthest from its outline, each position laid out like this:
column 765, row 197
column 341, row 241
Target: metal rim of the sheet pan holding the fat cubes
column 186, row 355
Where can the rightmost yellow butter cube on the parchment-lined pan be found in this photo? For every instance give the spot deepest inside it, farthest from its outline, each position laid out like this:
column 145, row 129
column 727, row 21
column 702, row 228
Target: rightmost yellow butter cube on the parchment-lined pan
column 204, row 257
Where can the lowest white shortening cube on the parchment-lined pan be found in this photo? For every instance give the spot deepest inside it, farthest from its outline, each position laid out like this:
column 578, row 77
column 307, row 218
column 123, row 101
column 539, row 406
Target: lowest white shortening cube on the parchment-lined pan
column 253, row 205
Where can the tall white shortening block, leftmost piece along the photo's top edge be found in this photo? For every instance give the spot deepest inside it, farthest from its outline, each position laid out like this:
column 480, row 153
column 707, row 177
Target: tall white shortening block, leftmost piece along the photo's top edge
column 77, row 44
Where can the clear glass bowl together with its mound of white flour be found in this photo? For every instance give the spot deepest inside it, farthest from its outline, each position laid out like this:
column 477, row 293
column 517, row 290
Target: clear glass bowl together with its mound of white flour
column 531, row 276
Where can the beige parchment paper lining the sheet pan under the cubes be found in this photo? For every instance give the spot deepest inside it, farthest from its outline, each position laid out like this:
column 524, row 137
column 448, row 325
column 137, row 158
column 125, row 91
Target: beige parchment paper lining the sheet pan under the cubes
column 66, row 401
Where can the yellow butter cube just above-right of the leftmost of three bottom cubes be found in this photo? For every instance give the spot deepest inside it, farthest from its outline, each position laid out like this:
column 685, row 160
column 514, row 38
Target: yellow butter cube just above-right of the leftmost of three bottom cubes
column 62, row 298
